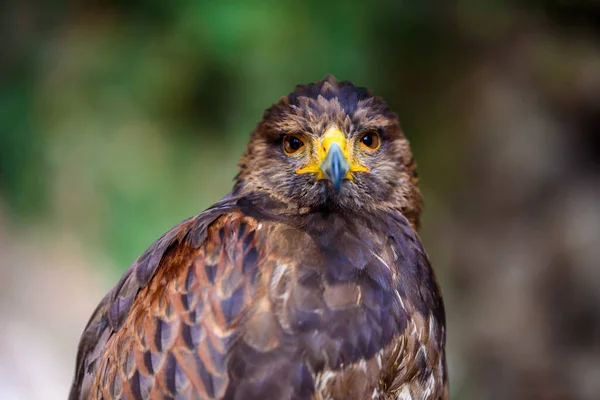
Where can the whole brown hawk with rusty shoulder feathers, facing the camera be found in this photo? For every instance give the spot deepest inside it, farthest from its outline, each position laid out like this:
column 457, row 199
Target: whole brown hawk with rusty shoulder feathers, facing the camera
column 307, row 281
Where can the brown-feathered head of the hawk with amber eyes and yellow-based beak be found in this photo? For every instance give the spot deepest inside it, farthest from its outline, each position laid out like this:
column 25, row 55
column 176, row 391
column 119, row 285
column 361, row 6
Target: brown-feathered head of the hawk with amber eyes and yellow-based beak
column 332, row 145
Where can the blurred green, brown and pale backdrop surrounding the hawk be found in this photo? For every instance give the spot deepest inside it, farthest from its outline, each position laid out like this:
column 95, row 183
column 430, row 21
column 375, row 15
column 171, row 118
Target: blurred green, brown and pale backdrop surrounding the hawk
column 118, row 119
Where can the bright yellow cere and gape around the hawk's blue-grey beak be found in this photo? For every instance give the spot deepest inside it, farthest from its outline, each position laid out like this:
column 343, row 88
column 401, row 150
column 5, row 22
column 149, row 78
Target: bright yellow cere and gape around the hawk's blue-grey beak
column 331, row 136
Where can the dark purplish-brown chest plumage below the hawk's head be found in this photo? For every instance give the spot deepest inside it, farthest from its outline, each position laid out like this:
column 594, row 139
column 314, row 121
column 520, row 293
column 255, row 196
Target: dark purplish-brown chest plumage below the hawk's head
column 332, row 311
